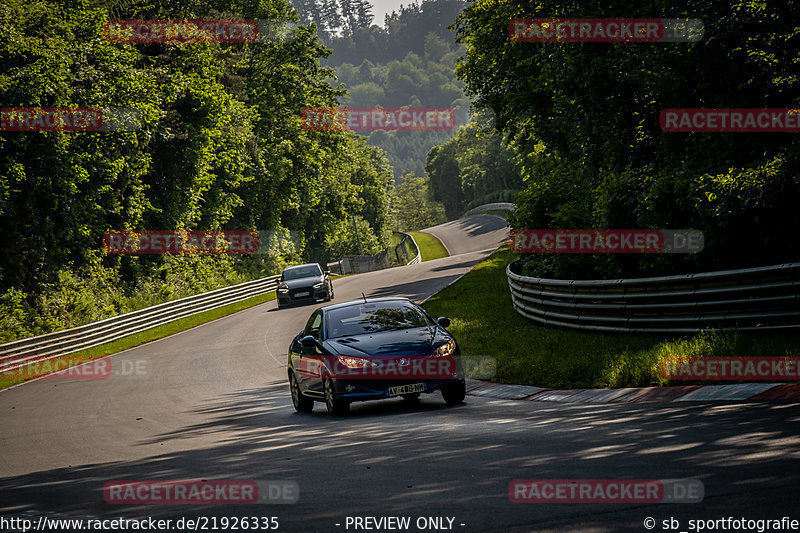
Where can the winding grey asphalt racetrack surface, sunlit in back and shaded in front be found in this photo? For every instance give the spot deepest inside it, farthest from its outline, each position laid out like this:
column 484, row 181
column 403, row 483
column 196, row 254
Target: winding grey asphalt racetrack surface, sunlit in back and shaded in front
column 213, row 403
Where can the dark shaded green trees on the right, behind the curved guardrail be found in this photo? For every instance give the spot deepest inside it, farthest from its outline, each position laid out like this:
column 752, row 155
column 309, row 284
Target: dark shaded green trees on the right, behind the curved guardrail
column 584, row 121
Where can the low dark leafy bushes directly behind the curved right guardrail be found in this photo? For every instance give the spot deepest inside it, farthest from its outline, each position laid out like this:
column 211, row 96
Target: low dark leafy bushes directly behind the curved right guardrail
column 748, row 216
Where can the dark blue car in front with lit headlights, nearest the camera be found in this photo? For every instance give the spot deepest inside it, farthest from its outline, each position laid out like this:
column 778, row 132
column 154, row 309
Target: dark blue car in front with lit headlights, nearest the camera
column 370, row 350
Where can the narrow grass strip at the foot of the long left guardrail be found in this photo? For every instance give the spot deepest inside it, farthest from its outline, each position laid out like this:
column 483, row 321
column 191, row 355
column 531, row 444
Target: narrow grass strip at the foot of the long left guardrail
column 6, row 380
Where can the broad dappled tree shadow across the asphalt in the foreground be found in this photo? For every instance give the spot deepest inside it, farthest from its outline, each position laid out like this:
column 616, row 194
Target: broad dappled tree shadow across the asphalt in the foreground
column 394, row 456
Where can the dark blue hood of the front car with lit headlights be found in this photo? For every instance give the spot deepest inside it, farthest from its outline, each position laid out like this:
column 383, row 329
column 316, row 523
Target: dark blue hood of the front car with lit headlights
column 414, row 341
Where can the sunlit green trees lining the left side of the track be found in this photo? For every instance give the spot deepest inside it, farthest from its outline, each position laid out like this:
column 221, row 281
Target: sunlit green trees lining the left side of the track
column 220, row 147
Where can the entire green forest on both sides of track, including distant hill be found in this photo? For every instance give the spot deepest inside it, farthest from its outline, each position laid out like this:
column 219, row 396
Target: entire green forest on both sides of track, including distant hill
column 568, row 131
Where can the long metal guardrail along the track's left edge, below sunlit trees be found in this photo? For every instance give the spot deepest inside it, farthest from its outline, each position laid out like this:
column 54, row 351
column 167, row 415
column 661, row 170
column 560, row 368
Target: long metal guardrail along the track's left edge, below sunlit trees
column 16, row 354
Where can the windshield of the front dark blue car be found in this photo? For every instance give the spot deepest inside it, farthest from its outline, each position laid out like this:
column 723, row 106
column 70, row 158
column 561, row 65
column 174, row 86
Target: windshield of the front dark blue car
column 368, row 317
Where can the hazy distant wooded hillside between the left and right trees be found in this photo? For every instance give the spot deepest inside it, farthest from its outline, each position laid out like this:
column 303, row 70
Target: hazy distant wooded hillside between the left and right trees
column 409, row 63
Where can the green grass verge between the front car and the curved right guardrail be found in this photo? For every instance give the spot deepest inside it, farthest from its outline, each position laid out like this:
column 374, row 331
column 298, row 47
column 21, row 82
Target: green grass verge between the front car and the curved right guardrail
column 485, row 324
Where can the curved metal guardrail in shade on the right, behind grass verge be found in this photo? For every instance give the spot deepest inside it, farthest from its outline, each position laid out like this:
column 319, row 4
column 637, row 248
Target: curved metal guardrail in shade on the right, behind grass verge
column 754, row 299
